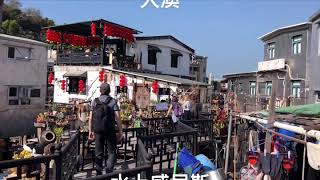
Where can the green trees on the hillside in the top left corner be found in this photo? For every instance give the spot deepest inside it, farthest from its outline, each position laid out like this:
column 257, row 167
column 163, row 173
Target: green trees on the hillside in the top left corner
column 23, row 22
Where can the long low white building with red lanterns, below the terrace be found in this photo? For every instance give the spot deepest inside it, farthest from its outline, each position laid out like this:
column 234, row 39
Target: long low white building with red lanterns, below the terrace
column 138, row 84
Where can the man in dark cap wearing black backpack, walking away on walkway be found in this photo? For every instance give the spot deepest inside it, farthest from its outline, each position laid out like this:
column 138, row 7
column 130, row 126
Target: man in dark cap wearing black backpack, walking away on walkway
column 104, row 115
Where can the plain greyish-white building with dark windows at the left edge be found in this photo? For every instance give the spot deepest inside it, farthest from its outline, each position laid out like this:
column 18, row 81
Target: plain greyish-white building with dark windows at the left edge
column 23, row 82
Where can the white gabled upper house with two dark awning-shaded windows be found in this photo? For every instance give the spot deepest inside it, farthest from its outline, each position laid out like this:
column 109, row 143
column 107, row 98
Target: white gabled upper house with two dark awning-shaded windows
column 164, row 54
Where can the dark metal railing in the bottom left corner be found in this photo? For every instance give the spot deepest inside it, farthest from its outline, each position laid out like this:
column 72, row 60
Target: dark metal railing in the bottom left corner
column 65, row 159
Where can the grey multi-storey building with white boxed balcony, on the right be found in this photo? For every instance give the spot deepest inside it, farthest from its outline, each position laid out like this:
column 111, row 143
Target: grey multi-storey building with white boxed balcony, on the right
column 285, row 64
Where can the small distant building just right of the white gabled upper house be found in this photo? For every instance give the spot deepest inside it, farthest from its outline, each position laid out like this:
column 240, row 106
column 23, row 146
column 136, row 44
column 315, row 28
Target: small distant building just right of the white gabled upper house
column 198, row 69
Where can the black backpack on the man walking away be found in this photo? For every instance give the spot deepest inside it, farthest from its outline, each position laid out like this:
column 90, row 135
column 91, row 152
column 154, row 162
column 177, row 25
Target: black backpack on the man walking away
column 103, row 117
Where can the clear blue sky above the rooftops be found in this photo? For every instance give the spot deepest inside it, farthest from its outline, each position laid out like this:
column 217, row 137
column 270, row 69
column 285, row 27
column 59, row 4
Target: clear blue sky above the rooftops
column 225, row 31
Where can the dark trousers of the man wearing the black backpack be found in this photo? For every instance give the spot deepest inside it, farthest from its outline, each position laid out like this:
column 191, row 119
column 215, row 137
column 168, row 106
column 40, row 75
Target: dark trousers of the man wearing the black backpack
column 102, row 140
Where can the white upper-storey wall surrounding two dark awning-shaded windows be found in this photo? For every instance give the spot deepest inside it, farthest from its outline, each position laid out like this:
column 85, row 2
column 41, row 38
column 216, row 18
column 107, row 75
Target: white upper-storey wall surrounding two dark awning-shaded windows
column 164, row 58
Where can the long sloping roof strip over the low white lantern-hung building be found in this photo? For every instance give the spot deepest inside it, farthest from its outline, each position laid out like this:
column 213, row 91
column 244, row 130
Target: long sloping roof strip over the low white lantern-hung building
column 160, row 77
